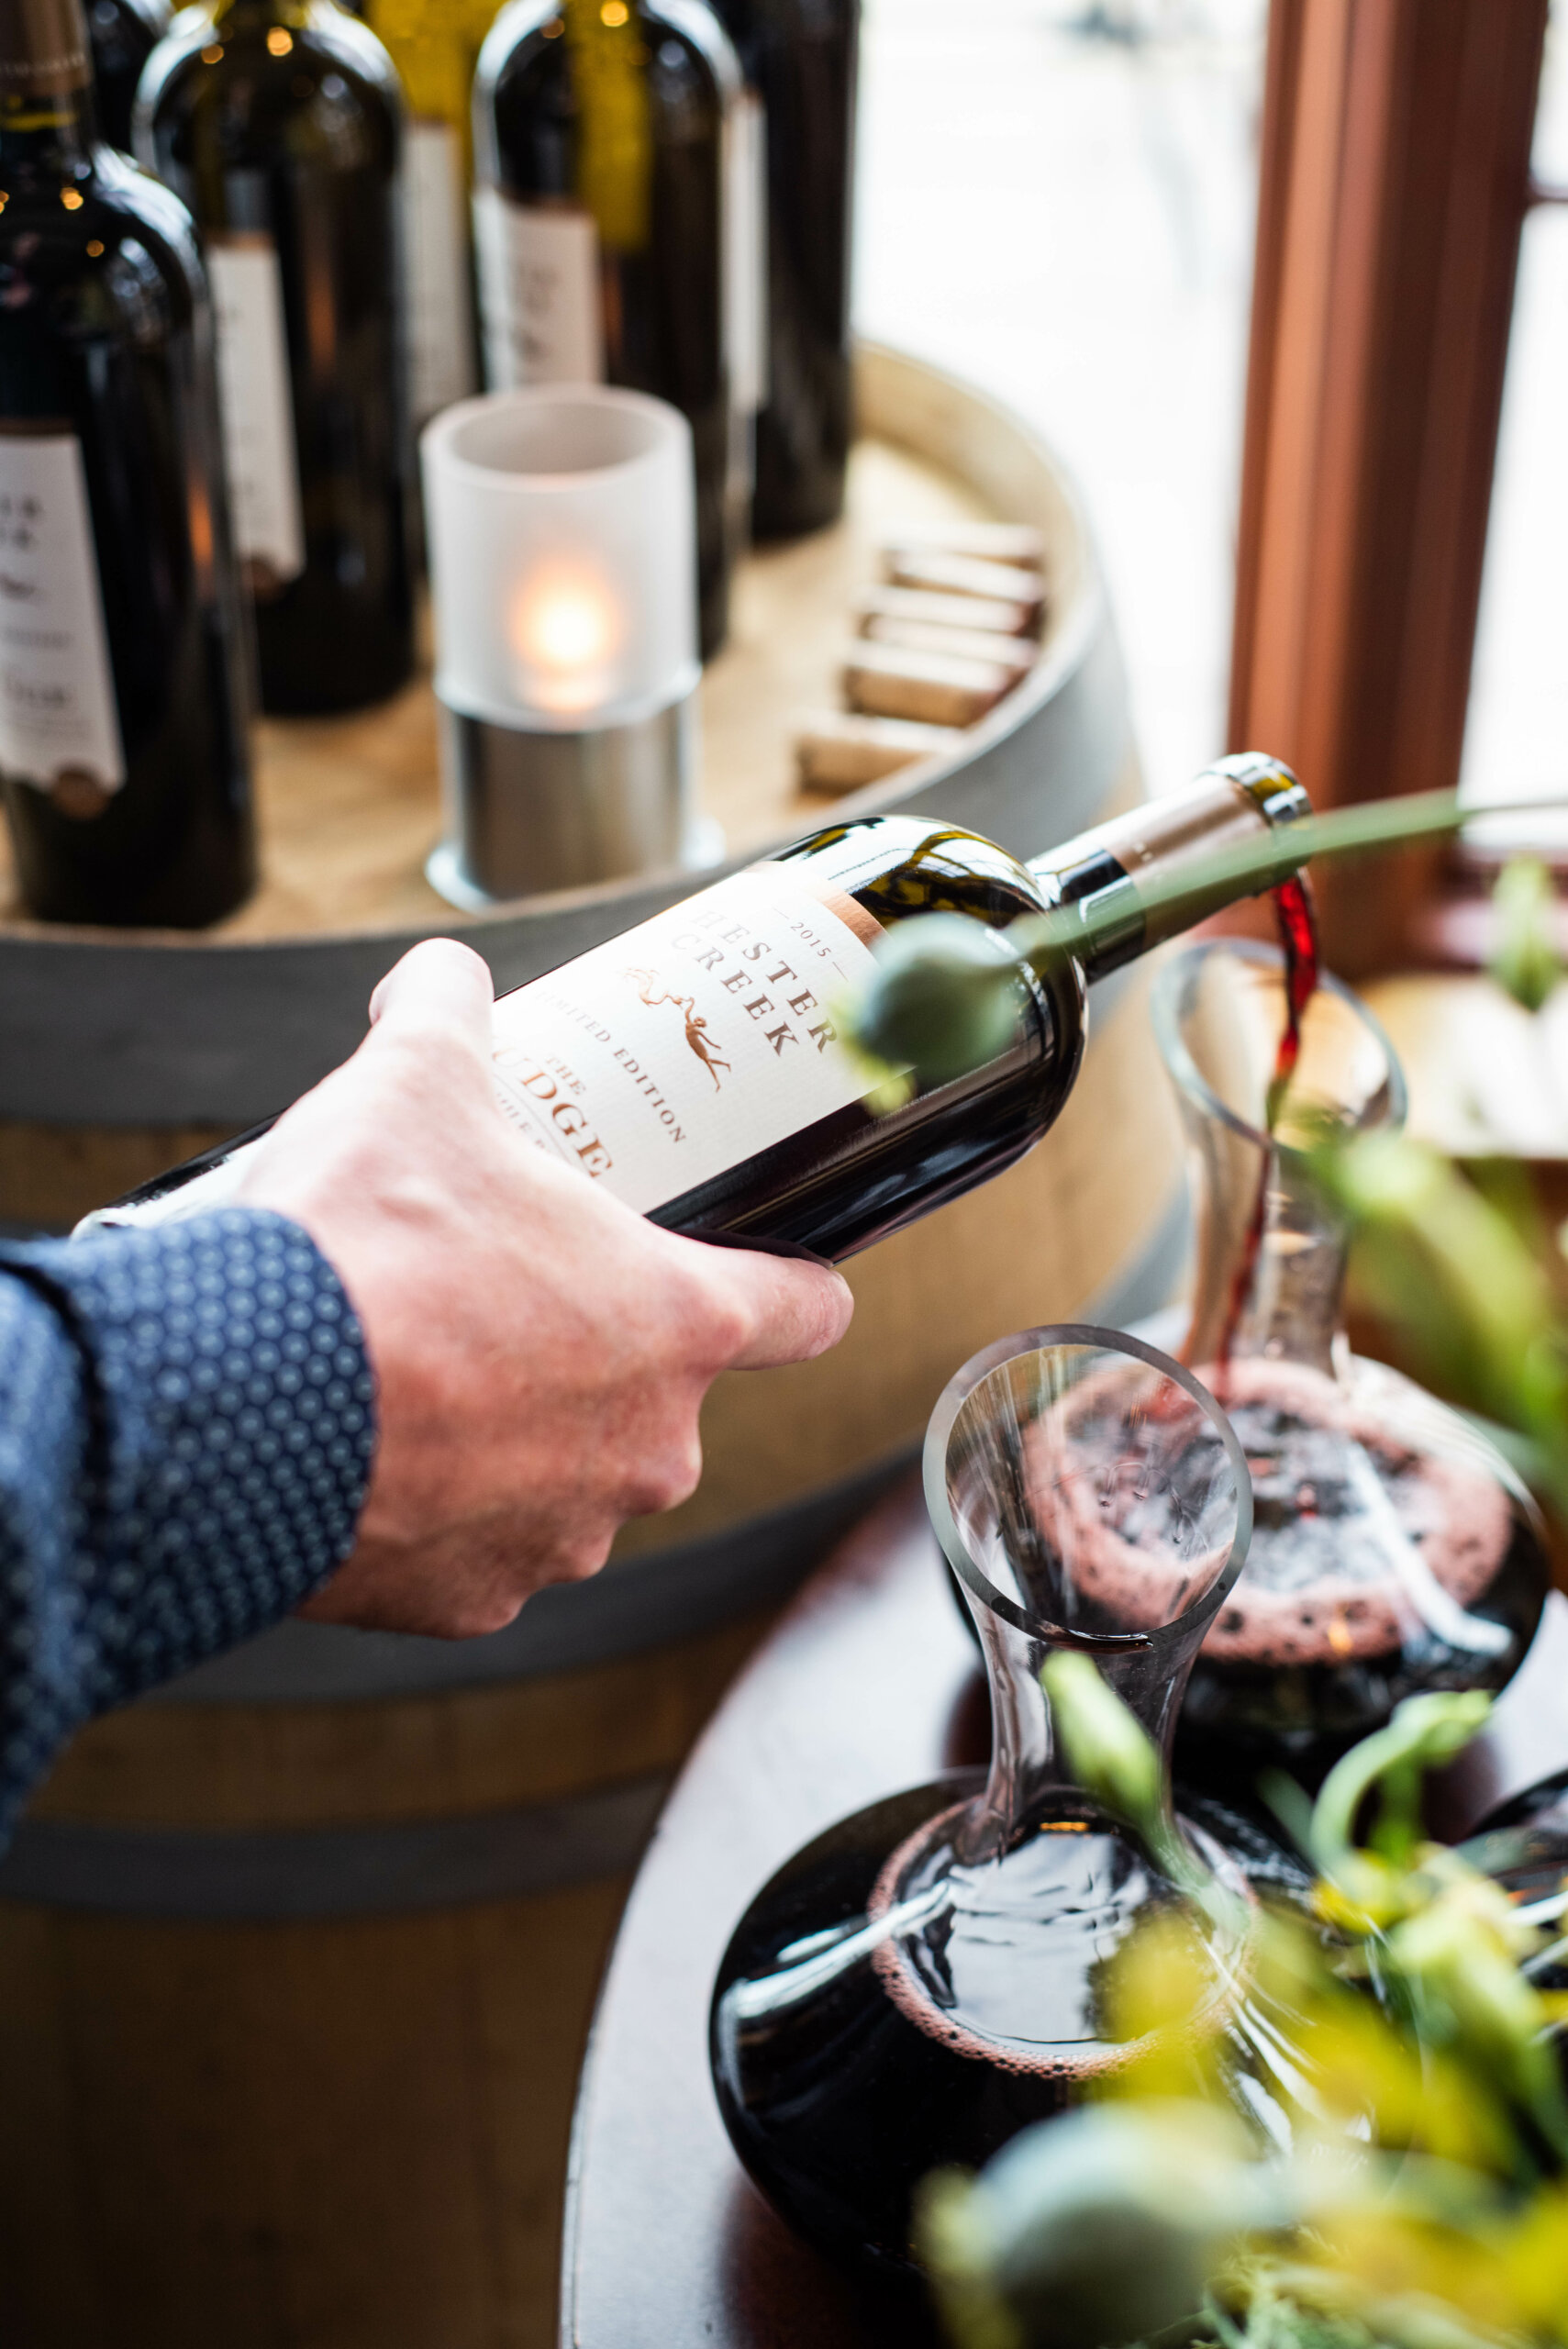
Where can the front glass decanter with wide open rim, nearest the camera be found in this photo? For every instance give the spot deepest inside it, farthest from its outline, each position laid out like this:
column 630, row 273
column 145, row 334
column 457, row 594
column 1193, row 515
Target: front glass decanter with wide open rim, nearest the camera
column 928, row 1977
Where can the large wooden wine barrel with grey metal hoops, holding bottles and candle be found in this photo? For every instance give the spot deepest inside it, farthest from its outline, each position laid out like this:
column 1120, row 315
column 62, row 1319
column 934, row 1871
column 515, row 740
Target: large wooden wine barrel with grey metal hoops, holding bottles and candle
column 297, row 1958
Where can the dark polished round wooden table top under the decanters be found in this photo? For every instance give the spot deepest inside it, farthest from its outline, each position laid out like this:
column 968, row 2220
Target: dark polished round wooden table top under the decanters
column 867, row 1685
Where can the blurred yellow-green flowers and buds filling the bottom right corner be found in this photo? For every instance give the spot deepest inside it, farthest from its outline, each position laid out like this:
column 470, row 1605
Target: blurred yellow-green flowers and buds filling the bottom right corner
column 1424, row 2197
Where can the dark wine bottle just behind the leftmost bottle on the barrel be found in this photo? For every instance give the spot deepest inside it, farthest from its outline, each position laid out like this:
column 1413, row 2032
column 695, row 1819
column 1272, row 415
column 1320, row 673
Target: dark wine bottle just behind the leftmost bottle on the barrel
column 281, row 123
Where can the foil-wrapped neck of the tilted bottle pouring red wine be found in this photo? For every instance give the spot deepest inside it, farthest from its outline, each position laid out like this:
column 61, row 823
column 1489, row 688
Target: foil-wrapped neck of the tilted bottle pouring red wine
column 1107, row 870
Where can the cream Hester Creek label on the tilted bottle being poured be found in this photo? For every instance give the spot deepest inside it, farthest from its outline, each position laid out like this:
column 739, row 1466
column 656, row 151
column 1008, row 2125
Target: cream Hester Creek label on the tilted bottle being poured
column 694, row 1042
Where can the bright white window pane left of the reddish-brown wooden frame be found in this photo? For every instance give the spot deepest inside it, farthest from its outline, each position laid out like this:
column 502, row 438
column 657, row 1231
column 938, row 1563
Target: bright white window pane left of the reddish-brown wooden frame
column 1057, row 203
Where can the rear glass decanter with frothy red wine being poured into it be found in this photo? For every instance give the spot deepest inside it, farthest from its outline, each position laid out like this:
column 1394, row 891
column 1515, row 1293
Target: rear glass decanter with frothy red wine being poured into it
column 1393, row 1547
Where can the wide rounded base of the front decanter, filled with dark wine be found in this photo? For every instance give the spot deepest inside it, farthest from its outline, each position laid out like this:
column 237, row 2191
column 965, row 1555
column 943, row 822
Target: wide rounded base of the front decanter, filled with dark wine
column 842, row 2082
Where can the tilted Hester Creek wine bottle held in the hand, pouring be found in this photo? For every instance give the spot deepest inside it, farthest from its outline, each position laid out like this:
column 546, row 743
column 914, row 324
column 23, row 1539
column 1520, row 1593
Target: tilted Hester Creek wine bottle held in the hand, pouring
column 694, row 1065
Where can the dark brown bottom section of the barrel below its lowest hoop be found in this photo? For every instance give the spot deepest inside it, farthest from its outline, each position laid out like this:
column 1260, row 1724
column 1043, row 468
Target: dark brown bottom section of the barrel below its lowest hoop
column 299, row 2134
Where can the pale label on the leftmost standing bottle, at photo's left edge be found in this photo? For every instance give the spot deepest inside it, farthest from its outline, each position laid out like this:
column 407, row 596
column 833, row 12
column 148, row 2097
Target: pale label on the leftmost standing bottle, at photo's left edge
column 60, row 722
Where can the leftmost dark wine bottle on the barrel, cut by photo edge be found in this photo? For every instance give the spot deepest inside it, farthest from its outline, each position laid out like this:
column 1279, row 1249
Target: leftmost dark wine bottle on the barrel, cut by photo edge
column 123, row 657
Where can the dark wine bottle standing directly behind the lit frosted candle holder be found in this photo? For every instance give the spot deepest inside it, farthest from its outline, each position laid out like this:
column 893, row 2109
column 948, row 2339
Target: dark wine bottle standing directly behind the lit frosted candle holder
column 602, row 140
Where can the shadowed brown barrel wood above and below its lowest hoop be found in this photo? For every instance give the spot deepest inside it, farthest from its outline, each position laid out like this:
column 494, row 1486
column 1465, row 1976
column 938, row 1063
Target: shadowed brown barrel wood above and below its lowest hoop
column 330, row 2129
